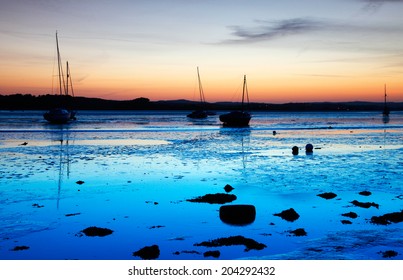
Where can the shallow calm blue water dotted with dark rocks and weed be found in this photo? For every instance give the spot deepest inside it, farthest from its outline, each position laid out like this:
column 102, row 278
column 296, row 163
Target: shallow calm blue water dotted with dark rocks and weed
column 139, row 169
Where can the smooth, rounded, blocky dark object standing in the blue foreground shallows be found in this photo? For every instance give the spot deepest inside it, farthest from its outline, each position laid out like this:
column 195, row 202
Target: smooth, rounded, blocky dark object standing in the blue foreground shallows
column 238, row 214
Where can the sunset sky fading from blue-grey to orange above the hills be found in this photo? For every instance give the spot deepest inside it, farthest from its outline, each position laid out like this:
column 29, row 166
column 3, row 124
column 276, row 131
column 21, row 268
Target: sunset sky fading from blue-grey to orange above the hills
column 289, row 50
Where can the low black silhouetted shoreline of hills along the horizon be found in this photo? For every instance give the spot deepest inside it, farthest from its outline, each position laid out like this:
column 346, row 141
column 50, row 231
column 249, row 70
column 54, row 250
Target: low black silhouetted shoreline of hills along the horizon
column 45, row 102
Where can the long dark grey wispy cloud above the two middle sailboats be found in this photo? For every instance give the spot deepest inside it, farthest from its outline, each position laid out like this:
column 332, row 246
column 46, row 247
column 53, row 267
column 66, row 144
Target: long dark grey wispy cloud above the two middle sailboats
column 268, row 30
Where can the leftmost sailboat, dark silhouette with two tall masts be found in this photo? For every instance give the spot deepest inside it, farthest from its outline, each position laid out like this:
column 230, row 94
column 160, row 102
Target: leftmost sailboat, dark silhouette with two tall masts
column 61, row 115
